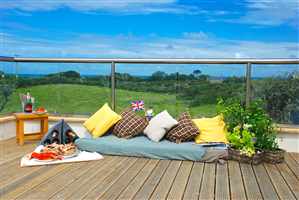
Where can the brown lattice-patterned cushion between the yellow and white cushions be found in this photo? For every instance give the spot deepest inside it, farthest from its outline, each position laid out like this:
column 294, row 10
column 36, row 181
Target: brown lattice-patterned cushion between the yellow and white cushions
column 130, row 125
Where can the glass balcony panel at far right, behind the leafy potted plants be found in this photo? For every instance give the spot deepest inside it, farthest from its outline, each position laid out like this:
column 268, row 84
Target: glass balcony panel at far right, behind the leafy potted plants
column 278, row 87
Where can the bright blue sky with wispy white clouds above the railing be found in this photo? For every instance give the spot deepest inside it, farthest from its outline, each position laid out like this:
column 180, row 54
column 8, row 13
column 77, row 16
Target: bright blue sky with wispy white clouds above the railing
column 150, row 29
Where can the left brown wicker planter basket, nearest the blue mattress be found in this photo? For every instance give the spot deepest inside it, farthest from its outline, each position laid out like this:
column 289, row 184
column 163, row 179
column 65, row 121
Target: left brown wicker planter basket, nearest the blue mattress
column 235, row 154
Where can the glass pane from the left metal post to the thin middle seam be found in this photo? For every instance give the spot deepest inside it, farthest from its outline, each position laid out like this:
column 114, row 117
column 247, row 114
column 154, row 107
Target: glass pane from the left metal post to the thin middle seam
column 146, row 82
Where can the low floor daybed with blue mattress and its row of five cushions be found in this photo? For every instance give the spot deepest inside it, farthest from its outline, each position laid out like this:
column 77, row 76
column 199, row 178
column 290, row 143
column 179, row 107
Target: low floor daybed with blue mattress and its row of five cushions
column 161, row 137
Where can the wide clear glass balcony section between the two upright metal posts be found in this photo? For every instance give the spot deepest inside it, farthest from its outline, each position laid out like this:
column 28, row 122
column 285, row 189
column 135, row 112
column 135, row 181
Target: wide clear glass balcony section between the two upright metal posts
column 179, row 88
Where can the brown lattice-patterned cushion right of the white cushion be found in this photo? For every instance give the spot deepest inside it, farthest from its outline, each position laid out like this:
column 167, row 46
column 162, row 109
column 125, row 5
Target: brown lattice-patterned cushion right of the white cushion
column 185, row 130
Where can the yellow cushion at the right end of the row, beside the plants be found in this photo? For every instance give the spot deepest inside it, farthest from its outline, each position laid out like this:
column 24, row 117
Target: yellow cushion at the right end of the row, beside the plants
column 211, row 130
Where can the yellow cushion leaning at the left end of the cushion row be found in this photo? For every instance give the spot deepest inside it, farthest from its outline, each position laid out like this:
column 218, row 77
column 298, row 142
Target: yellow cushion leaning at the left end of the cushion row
column 100, row 122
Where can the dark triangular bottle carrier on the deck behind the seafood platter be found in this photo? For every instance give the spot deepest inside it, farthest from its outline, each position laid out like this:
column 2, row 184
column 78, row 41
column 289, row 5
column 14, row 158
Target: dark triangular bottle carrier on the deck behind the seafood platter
column 60, row 133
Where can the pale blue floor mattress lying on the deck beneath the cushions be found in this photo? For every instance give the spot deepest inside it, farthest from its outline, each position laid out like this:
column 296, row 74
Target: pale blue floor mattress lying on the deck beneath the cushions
column 141, row 146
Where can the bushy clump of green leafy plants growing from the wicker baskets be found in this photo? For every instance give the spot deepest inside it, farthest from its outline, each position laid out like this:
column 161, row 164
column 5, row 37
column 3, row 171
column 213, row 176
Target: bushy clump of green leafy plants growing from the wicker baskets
column 252, row 119
